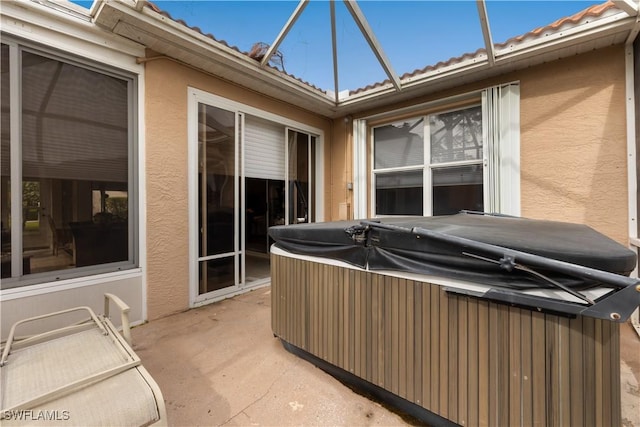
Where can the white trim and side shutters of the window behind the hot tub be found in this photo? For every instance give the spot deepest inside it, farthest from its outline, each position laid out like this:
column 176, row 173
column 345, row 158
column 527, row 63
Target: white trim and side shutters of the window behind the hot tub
column 505, row 173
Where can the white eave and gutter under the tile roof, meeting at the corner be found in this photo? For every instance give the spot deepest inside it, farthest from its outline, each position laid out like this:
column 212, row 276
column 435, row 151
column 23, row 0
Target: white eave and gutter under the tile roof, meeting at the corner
column 187, row 45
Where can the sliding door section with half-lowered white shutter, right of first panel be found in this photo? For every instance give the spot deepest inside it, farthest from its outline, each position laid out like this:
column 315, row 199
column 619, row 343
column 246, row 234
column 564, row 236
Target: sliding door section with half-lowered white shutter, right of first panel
column 278, row 188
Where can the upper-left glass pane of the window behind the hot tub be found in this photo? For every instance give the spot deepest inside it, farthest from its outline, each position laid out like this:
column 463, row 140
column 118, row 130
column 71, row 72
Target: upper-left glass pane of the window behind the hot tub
column 399, row 144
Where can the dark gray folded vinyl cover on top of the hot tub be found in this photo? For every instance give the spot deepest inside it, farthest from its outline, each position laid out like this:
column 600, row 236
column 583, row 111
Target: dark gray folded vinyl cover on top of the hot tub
column 509, row 254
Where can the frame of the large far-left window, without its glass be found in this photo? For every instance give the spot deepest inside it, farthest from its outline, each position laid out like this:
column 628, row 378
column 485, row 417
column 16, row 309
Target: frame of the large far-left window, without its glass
column 132, row 78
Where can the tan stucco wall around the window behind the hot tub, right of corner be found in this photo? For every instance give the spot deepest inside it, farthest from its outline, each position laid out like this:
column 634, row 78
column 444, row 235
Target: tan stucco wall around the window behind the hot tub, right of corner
column 573, row 140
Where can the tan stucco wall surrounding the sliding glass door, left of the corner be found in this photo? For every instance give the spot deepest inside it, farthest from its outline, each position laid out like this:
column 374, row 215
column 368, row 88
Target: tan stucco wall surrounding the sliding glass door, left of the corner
column 166, row 173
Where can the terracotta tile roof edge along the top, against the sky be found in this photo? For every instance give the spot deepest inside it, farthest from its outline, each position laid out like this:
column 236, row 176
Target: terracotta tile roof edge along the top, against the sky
column 595, row 11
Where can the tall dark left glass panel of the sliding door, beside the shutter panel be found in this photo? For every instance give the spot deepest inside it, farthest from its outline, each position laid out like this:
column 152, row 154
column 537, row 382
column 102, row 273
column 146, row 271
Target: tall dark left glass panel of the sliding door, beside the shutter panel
column 218, row 256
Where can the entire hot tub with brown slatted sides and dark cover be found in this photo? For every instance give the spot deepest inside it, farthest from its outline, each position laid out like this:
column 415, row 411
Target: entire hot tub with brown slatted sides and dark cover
column 466, row 319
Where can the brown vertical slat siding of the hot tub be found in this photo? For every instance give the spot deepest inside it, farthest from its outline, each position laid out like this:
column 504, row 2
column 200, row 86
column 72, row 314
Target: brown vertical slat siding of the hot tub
column 468, row 360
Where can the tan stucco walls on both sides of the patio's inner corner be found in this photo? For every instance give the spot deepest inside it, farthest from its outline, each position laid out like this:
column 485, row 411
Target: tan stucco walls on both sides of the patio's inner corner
column 573, row 154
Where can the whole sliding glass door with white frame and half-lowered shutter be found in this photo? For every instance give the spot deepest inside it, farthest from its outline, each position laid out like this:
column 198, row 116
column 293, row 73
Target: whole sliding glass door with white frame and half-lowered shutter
column 252, row 174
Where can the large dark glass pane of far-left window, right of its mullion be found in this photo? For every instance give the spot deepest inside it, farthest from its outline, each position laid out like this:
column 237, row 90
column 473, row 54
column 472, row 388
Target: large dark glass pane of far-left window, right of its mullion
column 75, row 159
